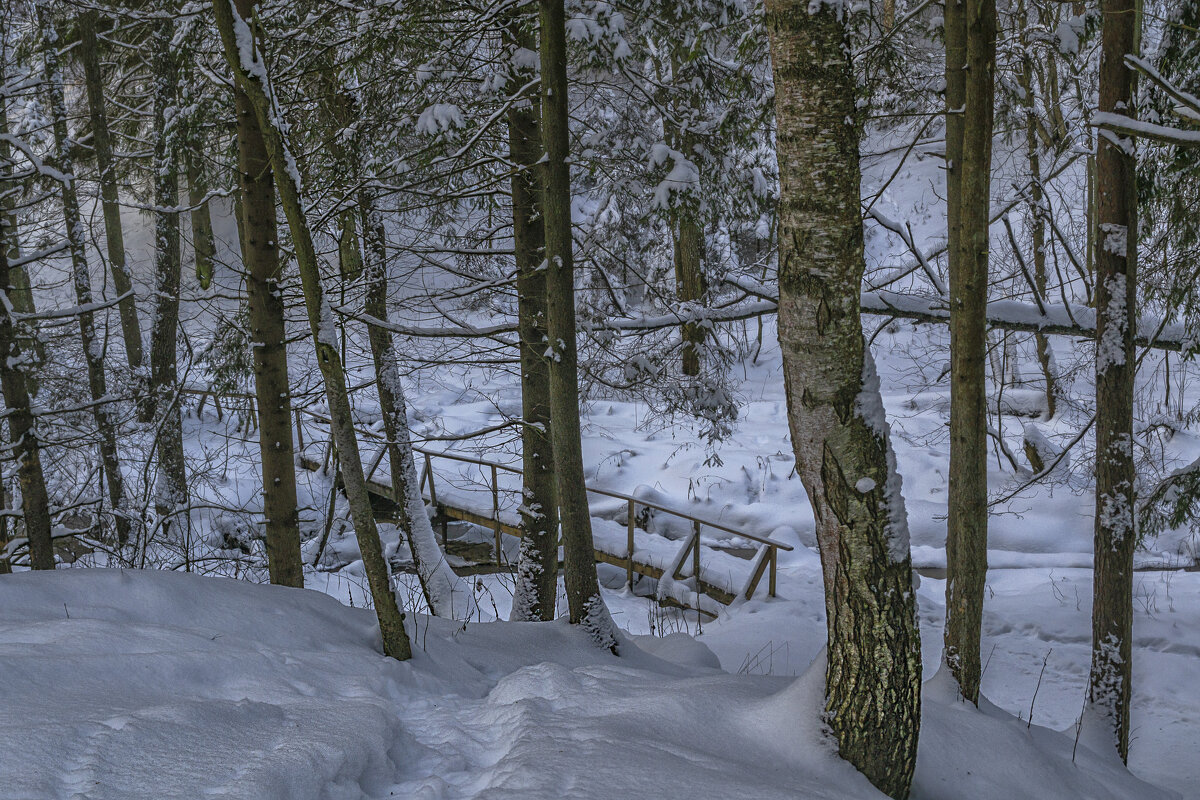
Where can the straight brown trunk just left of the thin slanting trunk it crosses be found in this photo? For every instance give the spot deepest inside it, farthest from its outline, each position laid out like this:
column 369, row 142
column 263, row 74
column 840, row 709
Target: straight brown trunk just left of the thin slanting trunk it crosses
column 273, row 390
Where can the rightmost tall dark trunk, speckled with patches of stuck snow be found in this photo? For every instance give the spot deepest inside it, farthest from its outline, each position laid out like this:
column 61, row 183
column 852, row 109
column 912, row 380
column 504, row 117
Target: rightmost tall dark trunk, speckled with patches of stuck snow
column 1117, row 269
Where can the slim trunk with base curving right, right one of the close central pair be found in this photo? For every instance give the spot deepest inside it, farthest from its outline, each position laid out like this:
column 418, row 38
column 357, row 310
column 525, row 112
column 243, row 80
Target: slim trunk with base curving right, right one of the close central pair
column 584, row 598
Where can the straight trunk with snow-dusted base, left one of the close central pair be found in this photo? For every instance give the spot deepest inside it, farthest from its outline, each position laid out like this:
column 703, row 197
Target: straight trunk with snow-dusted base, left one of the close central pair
column 537, row 586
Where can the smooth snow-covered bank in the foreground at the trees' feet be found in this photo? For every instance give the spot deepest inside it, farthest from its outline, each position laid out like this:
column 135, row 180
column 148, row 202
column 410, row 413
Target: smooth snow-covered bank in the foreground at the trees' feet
column 146, row 684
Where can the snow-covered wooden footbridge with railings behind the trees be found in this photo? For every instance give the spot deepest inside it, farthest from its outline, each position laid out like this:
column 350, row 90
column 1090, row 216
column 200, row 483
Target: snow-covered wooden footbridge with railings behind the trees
column 693, row 570
